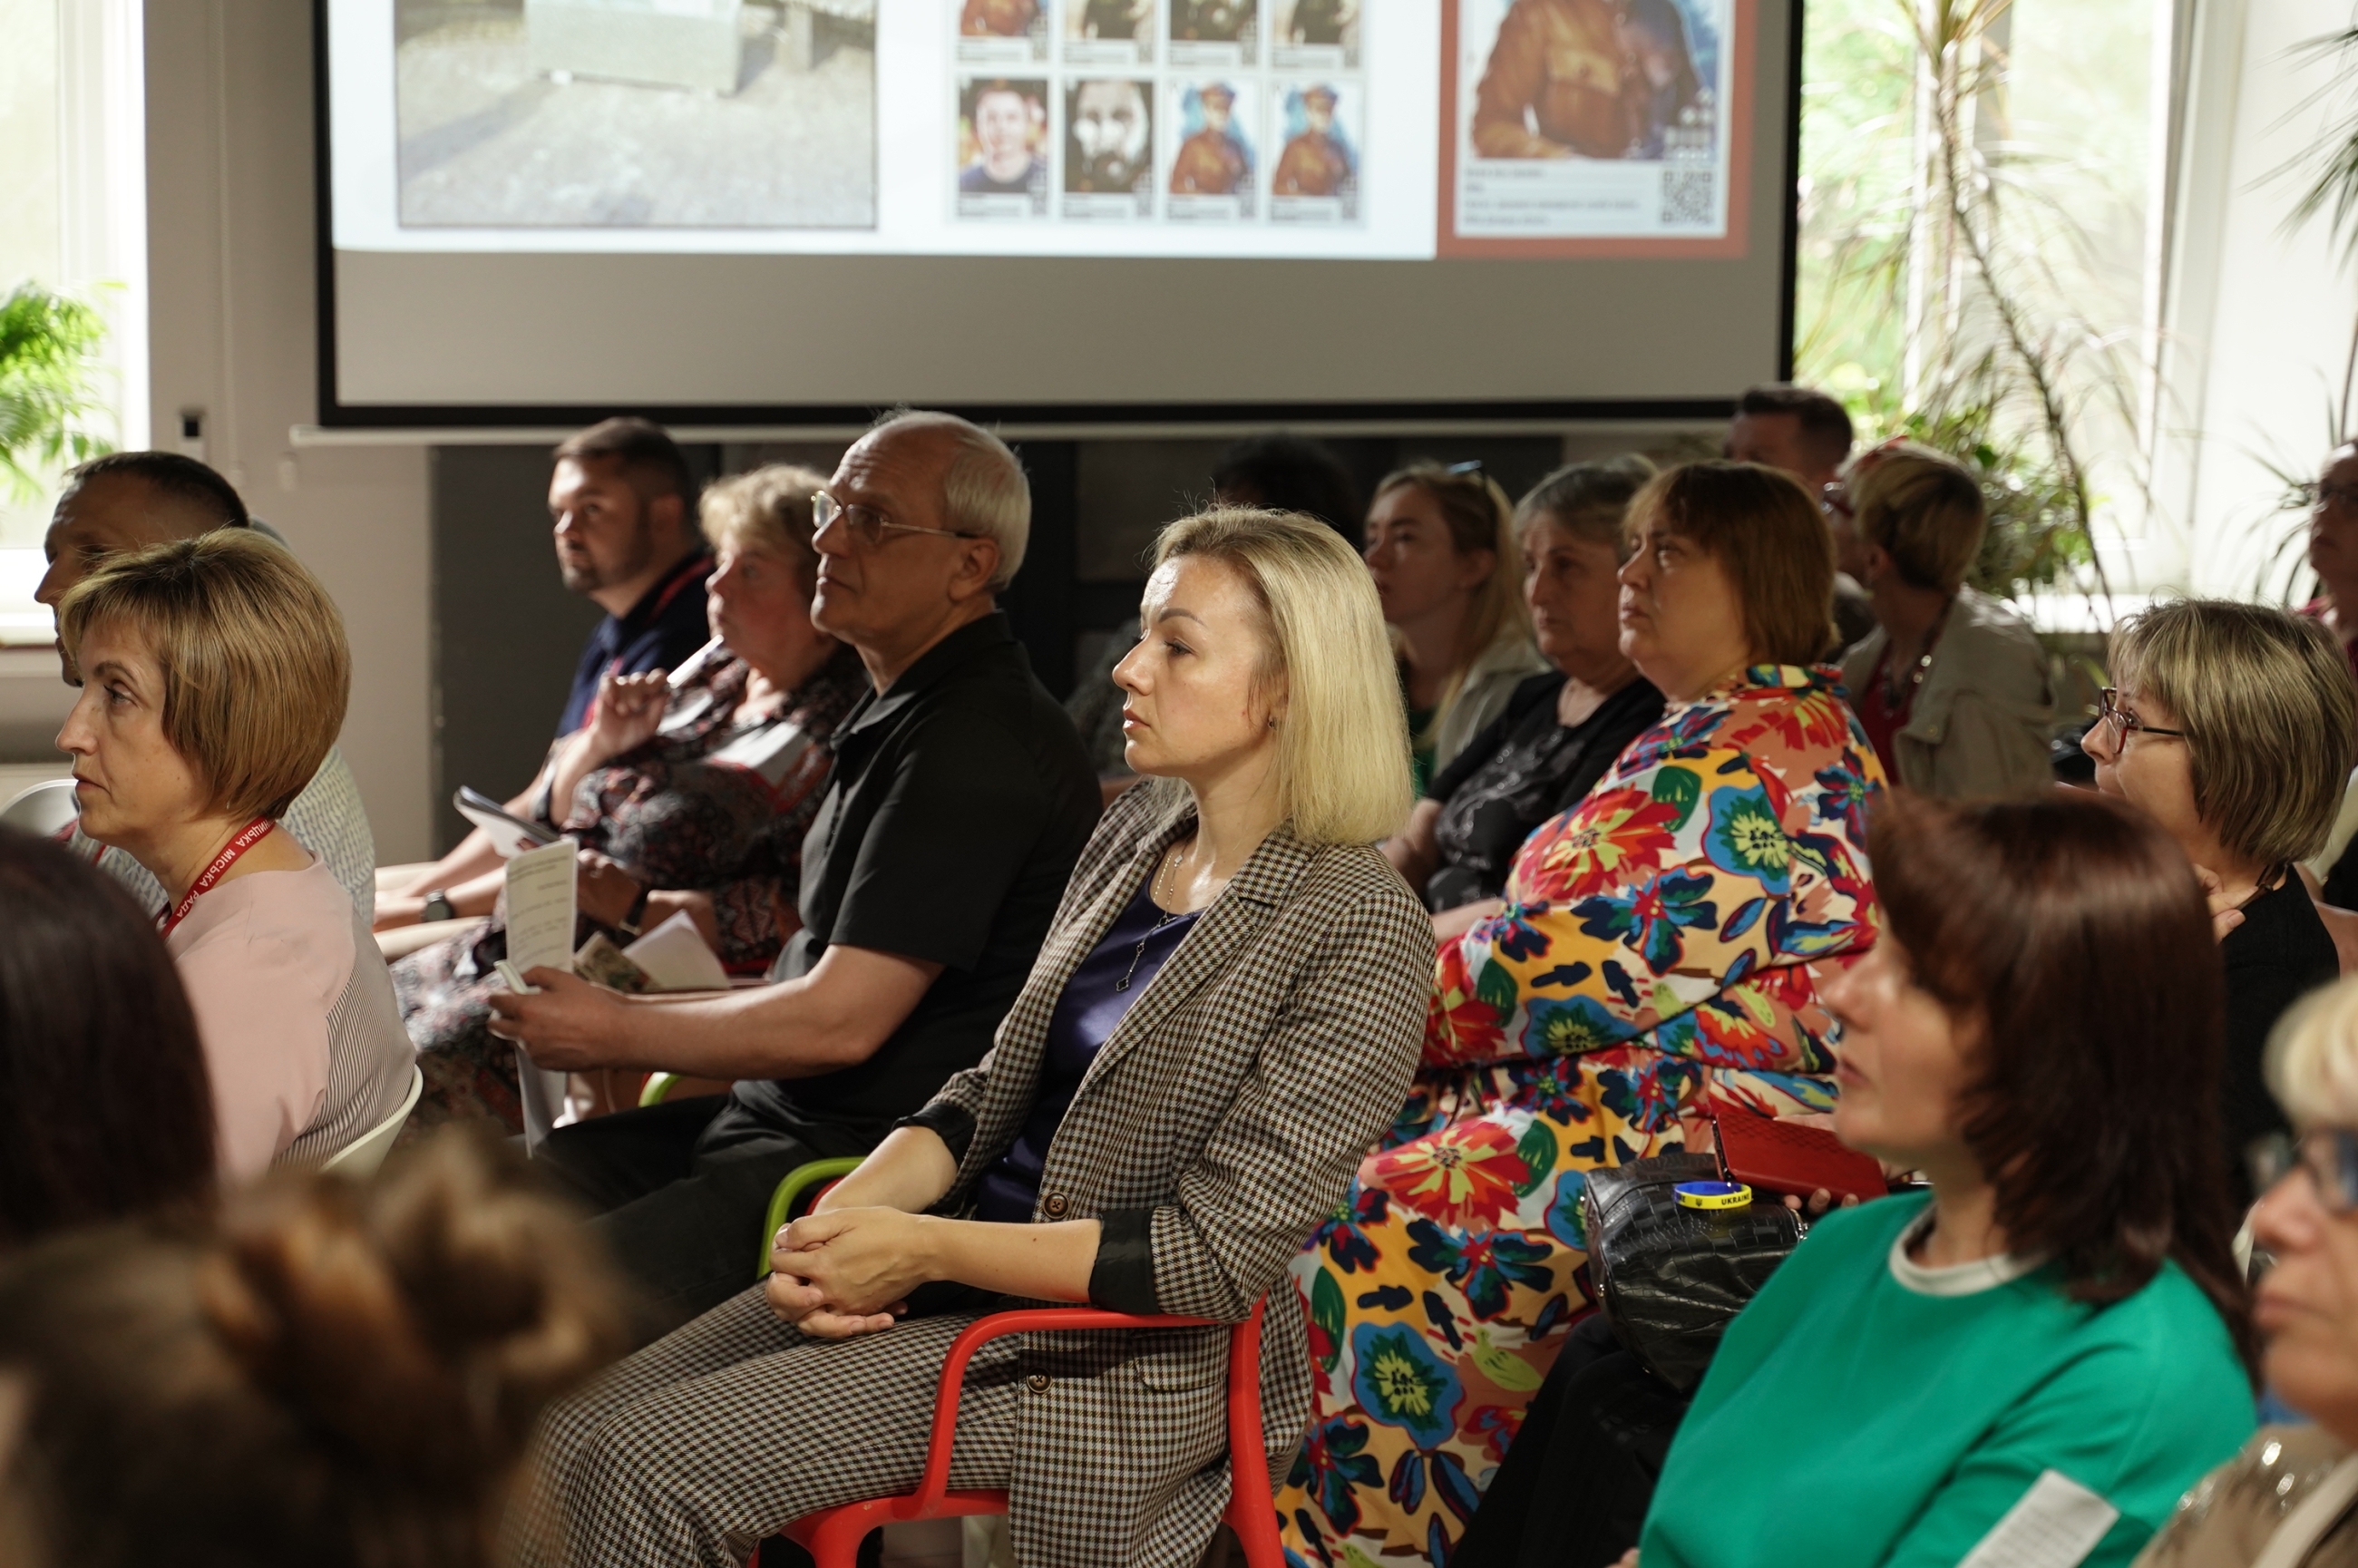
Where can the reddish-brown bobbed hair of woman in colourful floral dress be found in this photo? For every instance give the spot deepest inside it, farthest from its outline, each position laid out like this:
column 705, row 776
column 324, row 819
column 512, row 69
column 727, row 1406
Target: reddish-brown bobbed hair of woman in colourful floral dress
column 1770, row 539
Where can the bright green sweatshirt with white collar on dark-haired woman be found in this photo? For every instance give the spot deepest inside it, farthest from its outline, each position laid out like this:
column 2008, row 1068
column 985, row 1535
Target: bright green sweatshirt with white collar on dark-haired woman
column 1866, row 1411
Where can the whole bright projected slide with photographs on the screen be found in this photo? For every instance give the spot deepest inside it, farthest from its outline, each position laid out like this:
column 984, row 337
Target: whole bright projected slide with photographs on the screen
column 1058, row 129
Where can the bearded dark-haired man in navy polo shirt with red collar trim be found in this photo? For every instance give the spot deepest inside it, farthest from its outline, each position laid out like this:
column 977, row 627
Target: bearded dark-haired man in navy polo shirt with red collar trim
column 624, row 515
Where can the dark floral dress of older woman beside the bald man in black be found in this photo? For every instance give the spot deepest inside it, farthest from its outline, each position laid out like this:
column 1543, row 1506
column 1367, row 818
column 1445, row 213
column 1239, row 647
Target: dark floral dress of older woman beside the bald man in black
column 716, row 801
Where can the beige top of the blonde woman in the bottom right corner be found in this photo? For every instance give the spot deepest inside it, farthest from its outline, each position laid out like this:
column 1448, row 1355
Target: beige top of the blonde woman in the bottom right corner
column 2237, row 1513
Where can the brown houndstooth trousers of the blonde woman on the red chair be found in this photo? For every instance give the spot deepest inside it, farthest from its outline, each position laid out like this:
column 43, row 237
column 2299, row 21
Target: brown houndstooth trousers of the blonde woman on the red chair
column 723, row 1432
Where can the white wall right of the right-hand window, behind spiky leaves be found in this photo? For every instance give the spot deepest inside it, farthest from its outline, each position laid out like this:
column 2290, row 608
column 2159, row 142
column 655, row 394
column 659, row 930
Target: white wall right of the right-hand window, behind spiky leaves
column 2258, row 319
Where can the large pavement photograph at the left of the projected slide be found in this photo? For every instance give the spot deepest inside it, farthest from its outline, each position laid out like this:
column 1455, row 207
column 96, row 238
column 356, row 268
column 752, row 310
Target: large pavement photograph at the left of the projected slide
column 635, row 114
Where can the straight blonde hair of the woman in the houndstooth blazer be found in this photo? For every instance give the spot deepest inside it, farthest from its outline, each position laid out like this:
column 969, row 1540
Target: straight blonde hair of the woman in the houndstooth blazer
column 1343, row 746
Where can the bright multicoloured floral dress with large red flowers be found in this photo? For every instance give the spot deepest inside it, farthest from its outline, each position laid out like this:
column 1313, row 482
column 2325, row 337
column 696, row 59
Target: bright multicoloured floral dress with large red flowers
column 1661, row 942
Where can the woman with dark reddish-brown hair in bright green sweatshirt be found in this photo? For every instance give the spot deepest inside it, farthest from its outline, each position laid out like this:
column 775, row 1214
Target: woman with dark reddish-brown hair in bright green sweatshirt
column 2031, row 1364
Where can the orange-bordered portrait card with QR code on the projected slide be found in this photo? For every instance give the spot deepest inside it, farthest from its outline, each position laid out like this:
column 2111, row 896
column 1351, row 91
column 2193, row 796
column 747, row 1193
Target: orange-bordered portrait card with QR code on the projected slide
column 1576, row 121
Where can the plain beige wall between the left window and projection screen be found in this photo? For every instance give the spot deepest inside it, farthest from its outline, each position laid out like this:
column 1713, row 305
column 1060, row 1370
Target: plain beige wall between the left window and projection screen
column 232, row 334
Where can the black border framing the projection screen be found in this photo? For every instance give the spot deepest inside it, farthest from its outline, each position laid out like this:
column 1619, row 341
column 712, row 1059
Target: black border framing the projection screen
column 334, row 414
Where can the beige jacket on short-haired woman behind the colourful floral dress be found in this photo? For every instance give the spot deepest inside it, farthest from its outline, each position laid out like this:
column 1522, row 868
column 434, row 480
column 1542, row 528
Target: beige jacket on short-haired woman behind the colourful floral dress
column 1982, row 720
